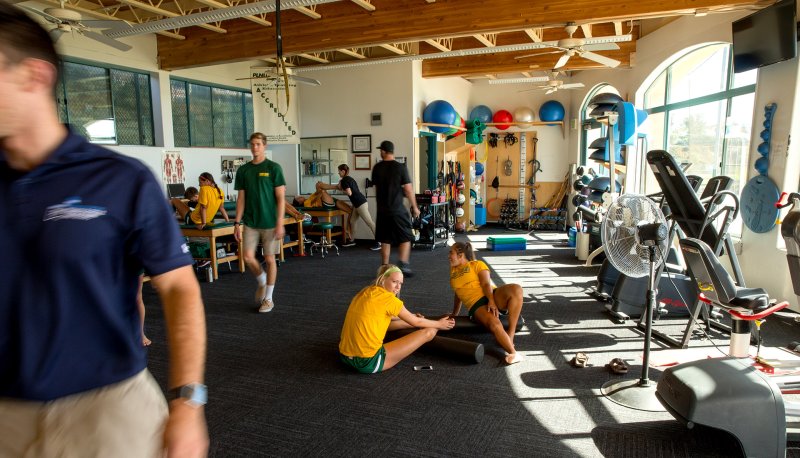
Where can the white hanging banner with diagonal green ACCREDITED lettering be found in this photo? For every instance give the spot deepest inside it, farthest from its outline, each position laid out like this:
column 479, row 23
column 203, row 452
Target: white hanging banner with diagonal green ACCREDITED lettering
column 271, row 113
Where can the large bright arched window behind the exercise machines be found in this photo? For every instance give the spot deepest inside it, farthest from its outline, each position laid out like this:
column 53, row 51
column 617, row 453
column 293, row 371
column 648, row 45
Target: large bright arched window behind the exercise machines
column 701, row 113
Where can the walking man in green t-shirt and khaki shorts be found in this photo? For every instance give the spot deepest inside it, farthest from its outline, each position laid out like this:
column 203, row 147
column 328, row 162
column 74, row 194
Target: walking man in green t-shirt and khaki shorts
column 262, row 190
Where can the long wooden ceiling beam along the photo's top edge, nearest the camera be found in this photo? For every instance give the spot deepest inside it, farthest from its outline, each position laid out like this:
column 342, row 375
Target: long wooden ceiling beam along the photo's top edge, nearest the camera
column 396, row 21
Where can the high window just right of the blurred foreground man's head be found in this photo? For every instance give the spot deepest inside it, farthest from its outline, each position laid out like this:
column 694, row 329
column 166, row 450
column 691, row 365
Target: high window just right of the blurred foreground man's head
column 106, row 105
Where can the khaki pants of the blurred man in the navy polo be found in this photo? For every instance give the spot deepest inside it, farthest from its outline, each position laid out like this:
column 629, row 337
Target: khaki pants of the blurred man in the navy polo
column 125, row 419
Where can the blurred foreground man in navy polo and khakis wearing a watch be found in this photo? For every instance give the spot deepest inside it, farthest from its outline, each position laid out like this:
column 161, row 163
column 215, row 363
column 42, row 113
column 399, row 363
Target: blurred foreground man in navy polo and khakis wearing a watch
column 77, row 224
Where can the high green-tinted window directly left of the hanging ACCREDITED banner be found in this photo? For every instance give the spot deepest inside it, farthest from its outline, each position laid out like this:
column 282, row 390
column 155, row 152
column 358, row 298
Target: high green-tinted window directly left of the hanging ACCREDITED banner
column 205, row 115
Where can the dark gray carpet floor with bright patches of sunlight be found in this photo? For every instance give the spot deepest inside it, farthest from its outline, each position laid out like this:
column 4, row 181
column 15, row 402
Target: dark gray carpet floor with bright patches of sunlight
column 276, row 387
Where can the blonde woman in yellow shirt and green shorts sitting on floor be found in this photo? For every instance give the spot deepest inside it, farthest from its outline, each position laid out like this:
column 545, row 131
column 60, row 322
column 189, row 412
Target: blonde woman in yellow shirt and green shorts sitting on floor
column 375, row 310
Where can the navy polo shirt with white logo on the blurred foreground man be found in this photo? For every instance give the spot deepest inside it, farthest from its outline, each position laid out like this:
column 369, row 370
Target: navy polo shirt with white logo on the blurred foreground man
column 74, row 234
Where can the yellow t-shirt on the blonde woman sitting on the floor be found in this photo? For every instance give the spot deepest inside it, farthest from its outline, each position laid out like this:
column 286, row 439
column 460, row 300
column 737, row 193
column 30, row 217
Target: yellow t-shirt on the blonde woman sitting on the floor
column 367, row 320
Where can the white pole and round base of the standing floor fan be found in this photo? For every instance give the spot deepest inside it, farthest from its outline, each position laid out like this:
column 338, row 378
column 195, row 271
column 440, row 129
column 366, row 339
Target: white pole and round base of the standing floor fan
column 639, row 394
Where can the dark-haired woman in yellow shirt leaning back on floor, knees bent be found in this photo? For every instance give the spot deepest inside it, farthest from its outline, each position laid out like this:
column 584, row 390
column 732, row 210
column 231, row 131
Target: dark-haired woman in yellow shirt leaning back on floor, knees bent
column 471, row 282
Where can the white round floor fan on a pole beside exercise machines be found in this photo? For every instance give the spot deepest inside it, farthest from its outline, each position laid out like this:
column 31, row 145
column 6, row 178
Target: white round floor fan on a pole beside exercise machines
column 634, row 234
